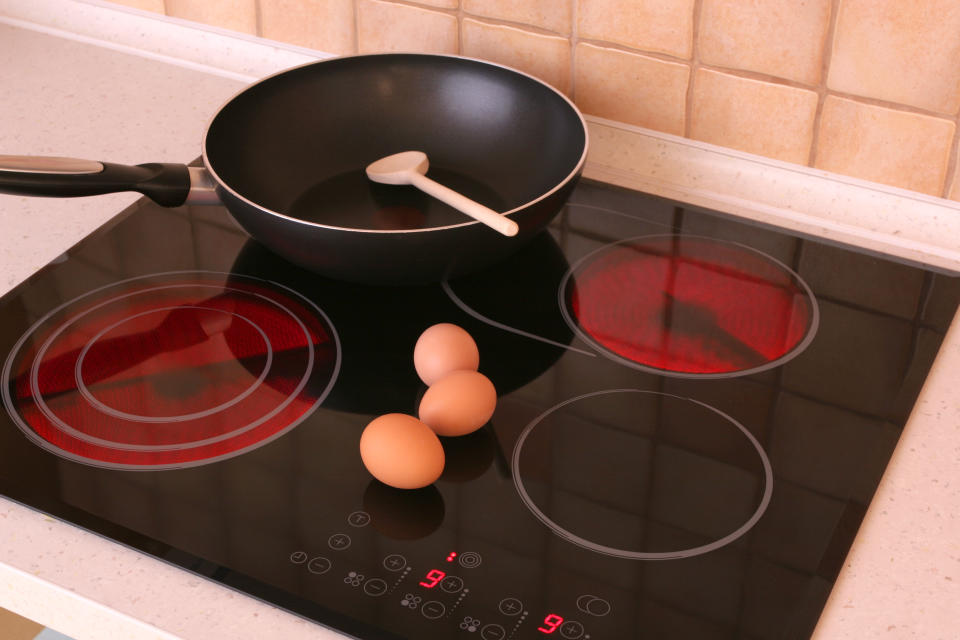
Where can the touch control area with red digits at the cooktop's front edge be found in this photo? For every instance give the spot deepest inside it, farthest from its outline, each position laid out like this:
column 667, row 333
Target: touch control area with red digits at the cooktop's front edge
column 450, row 593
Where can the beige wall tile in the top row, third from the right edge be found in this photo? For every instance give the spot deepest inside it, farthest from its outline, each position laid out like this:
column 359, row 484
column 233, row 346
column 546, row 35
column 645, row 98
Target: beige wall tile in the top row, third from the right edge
column 664, row 26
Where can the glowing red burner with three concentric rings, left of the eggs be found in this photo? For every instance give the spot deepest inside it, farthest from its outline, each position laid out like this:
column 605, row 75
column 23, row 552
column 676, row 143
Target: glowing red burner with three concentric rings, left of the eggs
column 171, row 371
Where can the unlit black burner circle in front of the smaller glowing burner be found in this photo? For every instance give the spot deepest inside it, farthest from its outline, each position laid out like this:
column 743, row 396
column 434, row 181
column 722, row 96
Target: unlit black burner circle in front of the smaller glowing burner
column 642, row 475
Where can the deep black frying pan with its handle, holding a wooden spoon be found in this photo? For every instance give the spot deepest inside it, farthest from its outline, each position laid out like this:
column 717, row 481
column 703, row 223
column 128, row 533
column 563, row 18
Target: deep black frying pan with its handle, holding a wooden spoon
column 286, row 156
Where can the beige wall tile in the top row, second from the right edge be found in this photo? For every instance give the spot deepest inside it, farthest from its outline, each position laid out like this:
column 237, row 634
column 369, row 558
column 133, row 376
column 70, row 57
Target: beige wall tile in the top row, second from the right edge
column 783, row 38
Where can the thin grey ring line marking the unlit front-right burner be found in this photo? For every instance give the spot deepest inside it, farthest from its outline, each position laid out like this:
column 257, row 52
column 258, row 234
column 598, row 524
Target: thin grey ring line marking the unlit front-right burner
column 642, row 555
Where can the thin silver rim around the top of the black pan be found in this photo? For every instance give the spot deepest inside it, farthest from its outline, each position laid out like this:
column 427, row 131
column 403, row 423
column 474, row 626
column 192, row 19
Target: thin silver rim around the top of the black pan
column 221, row 184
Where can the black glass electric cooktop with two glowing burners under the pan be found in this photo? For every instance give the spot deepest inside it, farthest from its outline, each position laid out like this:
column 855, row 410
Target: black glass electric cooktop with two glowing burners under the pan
column 694, row 413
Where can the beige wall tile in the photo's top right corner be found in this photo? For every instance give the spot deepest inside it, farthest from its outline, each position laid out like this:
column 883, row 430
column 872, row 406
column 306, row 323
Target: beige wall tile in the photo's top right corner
column 903, row 52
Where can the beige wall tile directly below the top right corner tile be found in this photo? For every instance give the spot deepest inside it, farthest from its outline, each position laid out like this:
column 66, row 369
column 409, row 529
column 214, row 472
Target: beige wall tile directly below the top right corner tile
column 898, row 148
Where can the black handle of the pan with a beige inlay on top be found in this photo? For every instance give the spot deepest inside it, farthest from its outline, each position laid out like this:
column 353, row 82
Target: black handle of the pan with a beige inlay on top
column 166, row 184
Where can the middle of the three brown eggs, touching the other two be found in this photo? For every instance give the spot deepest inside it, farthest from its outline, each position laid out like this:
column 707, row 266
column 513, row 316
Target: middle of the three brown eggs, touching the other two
column 458, row 403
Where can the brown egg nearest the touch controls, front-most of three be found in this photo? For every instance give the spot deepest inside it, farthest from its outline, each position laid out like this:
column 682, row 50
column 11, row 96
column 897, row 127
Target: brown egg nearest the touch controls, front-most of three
column 400, row 451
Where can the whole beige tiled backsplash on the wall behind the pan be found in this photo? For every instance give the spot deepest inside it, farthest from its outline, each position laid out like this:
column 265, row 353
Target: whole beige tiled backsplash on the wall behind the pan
column 865, row 88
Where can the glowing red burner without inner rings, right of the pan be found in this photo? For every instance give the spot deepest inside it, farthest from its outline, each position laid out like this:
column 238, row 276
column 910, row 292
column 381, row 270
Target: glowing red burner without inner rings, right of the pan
column 690, row 306
